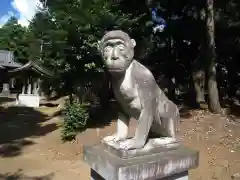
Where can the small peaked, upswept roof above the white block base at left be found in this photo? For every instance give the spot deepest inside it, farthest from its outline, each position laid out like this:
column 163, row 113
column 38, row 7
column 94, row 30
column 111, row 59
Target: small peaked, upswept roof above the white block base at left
column 33, row 66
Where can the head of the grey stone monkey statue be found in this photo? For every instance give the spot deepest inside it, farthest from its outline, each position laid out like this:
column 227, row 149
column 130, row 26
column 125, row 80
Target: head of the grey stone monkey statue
column 117, row 50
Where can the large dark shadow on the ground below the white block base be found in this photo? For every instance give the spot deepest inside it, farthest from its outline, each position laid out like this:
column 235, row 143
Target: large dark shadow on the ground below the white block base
column 18, row 123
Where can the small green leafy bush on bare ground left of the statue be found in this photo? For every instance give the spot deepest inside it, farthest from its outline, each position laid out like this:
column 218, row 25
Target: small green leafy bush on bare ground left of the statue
column 75, row 120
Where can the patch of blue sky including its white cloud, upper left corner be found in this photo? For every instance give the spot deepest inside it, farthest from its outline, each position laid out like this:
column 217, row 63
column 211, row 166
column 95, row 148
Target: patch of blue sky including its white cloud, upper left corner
column 24, row 10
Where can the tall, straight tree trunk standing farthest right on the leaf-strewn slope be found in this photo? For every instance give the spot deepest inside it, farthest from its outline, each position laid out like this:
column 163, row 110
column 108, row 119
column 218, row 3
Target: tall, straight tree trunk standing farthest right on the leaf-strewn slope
column 214, row 105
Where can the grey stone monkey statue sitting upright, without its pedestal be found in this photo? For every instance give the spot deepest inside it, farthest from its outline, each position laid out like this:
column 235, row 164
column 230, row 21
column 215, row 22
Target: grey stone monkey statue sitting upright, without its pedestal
column 137, row 93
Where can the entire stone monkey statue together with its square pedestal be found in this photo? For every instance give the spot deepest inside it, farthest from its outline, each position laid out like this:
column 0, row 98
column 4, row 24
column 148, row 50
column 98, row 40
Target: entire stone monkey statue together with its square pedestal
column 142, row 157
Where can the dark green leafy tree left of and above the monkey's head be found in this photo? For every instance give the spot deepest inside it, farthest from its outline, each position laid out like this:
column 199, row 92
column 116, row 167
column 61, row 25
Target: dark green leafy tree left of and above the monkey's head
column 69, row 32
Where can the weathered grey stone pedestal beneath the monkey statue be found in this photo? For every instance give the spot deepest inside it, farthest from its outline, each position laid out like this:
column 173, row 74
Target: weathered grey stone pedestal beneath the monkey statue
column 157, row 163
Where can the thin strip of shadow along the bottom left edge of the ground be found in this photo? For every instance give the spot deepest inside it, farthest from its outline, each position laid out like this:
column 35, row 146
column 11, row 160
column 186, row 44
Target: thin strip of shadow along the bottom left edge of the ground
column 20, row 176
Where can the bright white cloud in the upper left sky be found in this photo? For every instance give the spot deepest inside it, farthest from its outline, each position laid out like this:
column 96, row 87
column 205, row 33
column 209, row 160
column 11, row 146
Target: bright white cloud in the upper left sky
column 26, row 10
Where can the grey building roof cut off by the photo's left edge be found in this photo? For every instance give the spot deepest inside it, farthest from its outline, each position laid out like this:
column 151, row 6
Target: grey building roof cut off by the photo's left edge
column 7, row 59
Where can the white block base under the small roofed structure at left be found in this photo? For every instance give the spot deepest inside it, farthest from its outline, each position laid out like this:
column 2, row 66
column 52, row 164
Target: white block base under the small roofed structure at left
column 28, row 100
